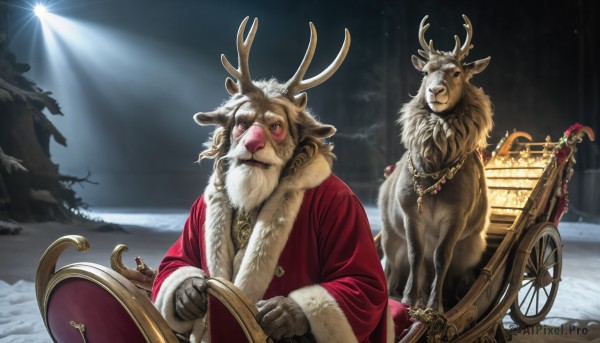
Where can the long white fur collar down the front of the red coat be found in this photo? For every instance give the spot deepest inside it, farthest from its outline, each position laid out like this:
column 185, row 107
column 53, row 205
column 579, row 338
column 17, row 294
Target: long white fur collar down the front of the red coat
column 274, row 223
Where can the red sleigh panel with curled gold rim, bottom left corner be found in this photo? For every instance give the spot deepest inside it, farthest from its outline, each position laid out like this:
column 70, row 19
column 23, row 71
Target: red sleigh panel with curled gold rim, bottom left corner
column 85, row 302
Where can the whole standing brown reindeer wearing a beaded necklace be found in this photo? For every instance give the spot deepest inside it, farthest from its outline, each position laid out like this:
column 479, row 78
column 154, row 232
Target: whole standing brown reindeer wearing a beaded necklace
column 434, row 204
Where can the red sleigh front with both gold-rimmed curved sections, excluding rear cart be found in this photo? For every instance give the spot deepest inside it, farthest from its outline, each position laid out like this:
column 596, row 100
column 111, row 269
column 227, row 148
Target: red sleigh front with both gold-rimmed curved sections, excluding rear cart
column 86, row 302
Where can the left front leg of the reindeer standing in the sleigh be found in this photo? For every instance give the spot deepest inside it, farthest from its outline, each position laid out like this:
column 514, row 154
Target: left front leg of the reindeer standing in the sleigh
column 415, row 236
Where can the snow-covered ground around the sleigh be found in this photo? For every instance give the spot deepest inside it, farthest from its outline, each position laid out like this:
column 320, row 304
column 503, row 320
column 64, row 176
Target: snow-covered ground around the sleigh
column 575, row 316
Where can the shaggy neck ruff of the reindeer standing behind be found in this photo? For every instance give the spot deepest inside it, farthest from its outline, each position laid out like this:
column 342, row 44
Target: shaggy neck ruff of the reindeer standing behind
column 438, row 140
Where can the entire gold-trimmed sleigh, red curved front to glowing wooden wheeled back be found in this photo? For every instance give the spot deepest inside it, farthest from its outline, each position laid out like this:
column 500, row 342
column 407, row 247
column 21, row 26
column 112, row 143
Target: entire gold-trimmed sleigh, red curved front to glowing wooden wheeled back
column 520, row 273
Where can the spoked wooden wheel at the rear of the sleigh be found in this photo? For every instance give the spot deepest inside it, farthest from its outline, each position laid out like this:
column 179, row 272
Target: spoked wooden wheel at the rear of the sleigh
column 539, row 281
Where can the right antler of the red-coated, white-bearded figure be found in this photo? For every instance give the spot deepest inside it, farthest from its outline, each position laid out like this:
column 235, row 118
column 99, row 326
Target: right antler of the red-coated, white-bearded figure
column 296, row 84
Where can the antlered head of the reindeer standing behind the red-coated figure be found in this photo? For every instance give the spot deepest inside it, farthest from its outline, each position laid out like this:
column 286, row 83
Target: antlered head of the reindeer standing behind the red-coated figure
column 445, row 73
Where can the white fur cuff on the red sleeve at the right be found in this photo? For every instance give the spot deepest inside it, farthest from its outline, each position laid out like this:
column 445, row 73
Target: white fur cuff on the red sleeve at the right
column 327, row 320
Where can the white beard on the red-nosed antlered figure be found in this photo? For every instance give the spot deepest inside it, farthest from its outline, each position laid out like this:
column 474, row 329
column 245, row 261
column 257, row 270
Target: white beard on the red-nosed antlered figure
column 247, row 186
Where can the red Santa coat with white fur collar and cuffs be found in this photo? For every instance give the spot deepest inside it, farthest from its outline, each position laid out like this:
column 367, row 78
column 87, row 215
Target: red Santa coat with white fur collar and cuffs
column 311, row 242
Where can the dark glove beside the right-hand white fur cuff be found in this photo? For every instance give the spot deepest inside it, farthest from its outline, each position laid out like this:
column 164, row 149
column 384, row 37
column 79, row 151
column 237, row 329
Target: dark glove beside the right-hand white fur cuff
column 281, row 317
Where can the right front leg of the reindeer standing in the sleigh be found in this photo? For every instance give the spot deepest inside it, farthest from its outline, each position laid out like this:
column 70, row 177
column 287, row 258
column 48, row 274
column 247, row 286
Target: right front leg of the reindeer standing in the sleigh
column 442, row 257
